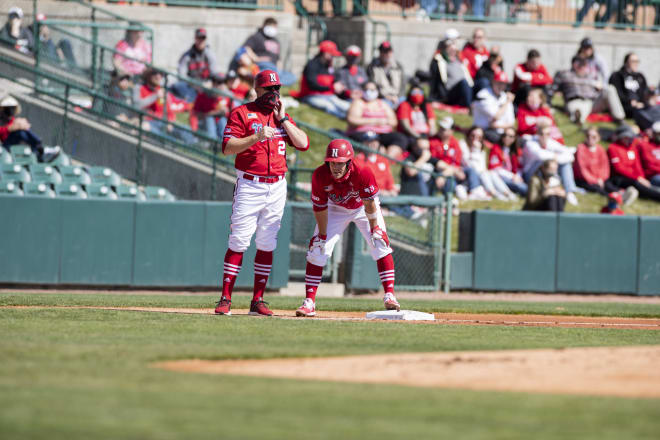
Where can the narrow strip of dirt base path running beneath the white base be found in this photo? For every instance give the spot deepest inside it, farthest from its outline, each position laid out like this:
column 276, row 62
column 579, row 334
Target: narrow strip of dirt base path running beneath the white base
column 440, row 318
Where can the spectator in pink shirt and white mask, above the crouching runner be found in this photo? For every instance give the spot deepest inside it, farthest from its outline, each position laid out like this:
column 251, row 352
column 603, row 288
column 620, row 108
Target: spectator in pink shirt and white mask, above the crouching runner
column 370, row 114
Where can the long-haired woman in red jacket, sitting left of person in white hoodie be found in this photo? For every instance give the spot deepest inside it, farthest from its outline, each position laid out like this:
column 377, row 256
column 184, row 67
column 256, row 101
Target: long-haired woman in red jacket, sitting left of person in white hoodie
column 505, row 158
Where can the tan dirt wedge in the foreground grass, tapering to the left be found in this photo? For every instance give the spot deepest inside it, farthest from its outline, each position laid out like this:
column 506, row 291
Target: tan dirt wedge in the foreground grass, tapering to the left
column 610, row 371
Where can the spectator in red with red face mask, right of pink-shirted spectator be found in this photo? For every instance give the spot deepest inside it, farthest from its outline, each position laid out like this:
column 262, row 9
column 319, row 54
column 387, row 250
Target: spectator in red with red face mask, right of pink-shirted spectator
column 417, row 118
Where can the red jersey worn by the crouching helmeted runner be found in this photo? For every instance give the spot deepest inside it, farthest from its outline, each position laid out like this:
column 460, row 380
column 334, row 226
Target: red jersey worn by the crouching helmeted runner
column 361, row 184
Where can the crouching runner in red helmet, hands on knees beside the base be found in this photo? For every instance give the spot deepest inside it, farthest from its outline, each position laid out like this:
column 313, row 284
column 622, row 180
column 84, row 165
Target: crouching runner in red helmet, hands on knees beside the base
column 343, row 193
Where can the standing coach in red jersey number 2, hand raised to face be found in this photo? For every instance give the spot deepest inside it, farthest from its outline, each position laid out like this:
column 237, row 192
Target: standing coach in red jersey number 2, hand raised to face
column 257, row 133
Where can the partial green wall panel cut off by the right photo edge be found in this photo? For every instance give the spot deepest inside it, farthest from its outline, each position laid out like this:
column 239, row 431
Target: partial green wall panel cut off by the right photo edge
column 649, row 256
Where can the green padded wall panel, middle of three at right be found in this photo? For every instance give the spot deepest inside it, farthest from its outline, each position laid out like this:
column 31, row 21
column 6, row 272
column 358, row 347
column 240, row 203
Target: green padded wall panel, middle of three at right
column 597, row 253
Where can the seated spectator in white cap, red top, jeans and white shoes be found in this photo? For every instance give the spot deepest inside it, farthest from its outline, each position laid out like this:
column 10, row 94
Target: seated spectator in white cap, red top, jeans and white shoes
column 446, row 151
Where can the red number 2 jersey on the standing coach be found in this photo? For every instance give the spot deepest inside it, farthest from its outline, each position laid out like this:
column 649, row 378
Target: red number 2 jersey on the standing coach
column 265, row 158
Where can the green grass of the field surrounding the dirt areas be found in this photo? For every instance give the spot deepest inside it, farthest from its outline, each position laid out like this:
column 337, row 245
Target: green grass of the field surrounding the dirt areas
column 81, row 374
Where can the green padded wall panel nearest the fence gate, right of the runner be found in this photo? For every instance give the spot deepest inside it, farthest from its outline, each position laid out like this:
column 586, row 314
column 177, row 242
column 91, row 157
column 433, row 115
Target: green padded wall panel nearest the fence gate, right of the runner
column 515, row 251
